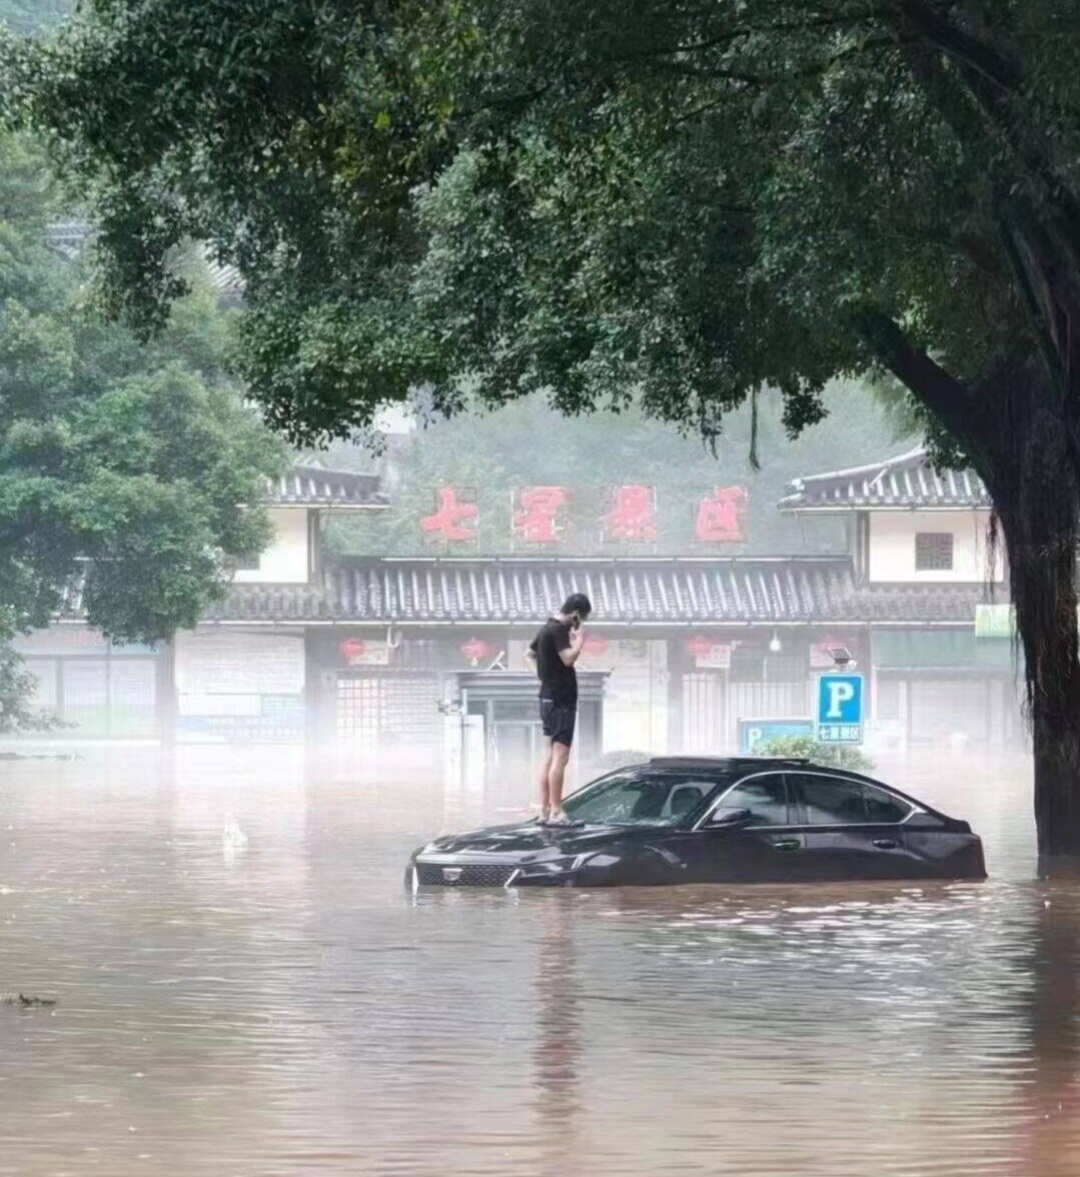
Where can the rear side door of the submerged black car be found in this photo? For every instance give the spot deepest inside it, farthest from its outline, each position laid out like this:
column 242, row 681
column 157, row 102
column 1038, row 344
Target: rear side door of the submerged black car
column 852, row 830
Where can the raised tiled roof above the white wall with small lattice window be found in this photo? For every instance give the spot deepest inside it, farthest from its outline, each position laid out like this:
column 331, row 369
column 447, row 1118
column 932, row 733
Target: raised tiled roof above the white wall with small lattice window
column 899, row 483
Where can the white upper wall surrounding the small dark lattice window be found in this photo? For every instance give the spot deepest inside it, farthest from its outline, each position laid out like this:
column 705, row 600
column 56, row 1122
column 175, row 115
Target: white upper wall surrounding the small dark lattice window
column 892, row 547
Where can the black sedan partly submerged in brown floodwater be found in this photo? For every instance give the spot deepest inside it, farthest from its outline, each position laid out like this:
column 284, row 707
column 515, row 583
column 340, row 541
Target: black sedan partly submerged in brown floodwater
column 714, row 821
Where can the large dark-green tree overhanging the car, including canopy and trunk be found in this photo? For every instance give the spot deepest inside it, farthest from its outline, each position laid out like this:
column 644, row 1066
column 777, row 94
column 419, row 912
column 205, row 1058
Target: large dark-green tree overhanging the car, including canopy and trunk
column 621, row 202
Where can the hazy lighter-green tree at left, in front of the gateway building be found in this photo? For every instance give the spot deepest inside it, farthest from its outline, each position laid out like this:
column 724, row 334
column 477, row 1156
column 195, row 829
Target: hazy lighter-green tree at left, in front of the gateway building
column 131, row 478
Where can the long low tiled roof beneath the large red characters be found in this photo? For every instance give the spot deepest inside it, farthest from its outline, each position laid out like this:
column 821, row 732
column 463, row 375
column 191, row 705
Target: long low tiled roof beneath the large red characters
column 641, row 591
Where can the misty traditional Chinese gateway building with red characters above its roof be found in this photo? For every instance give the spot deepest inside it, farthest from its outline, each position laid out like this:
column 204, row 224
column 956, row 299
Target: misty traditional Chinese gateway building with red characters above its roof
column 417, row 657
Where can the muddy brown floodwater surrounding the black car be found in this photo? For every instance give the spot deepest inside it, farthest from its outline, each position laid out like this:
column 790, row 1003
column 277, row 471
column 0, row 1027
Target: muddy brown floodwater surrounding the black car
column 285, row 1007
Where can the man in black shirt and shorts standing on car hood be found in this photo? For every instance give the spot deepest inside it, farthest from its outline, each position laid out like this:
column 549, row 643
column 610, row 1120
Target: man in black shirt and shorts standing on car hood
column 555, row 651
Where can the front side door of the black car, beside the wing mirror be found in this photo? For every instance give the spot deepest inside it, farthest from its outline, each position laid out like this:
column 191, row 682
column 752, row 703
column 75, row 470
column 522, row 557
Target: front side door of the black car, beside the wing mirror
column 768, row 850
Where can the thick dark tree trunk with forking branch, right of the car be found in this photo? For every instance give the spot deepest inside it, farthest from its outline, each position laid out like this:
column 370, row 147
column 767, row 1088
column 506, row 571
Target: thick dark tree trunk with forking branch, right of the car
column 1012, row 428
